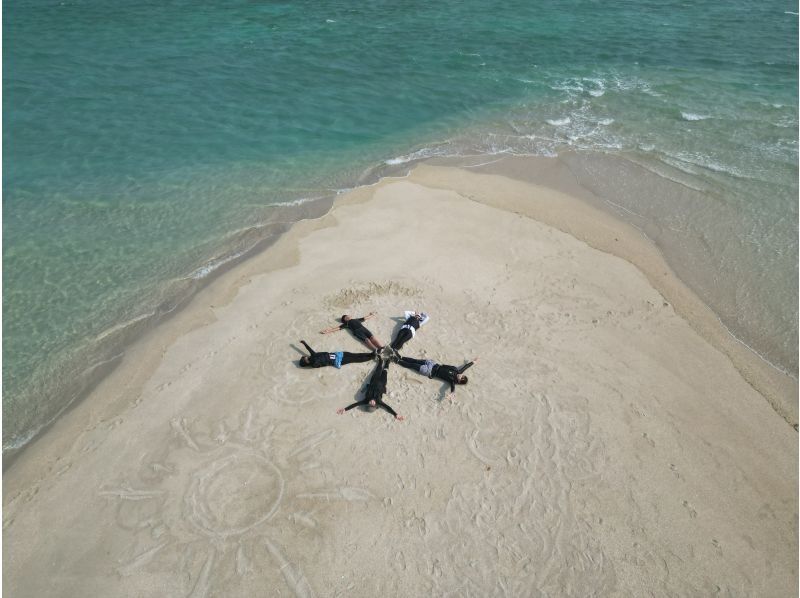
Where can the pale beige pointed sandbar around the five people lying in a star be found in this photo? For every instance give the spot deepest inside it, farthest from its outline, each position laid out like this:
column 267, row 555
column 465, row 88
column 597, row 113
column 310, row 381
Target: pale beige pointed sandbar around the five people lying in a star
column 602, row 446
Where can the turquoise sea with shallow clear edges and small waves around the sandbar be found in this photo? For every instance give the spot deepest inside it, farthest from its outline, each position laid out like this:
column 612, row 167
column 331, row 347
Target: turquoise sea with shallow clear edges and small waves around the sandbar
column 146, row 143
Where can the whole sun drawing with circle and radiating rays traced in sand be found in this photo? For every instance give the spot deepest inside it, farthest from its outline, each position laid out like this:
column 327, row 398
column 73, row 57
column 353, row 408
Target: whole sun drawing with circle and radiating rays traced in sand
column 215, row 510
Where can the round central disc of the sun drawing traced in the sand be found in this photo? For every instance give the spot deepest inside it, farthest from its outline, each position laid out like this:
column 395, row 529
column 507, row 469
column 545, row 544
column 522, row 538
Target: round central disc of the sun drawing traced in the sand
column 234, row 494
